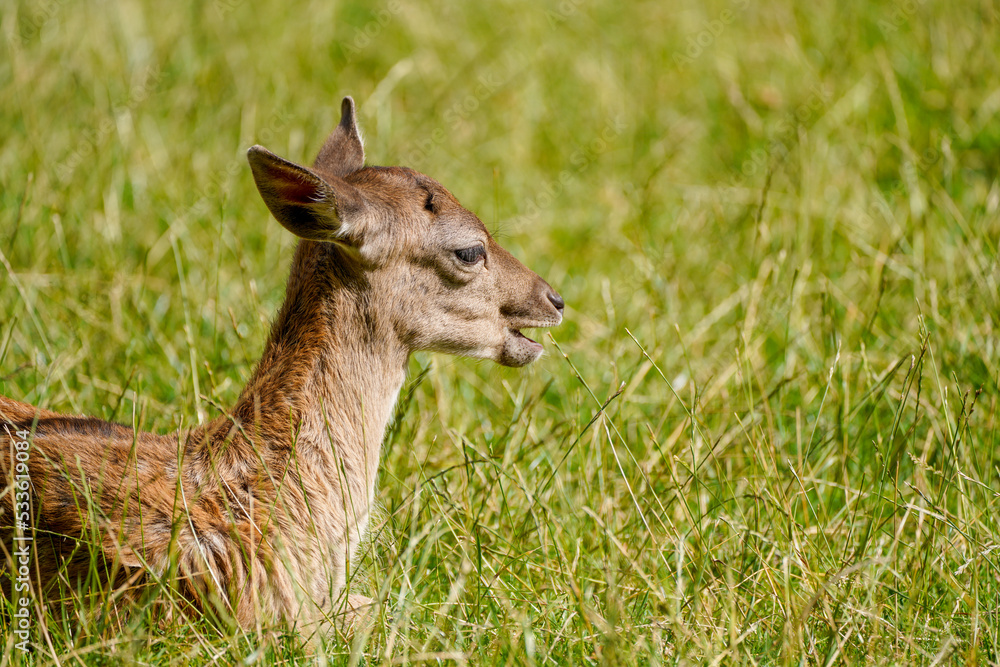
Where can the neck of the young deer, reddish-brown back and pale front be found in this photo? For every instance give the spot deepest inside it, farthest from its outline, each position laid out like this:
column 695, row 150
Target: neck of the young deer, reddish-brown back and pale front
column 332, row 368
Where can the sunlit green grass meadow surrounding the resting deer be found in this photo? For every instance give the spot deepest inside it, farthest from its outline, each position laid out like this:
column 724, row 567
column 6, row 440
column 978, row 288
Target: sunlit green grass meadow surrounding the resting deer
column 766, row 434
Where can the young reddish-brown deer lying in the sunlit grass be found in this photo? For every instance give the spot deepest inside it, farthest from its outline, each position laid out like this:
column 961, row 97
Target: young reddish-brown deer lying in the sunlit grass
column 258, row 513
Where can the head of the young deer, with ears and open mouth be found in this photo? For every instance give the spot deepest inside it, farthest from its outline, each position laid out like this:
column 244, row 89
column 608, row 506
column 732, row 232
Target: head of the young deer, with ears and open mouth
column 429, row 268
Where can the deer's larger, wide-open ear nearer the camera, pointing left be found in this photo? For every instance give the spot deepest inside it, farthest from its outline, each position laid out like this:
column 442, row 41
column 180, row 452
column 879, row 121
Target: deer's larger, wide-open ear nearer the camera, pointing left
column 306, row 204
